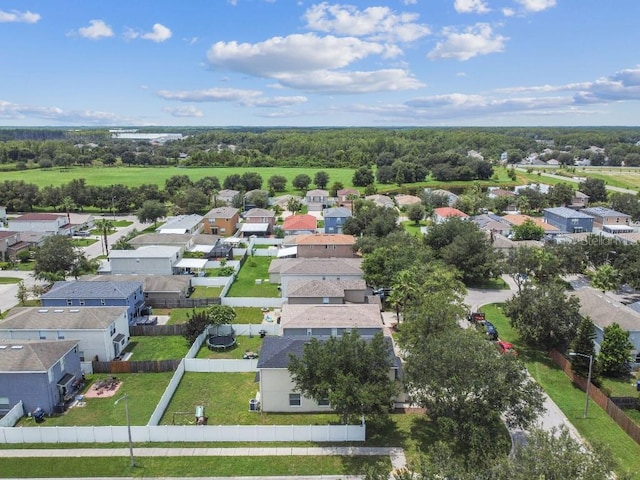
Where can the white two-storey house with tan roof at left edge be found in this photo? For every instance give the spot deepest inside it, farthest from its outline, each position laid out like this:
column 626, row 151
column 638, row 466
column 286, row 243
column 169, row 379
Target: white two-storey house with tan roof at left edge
column 102, row 333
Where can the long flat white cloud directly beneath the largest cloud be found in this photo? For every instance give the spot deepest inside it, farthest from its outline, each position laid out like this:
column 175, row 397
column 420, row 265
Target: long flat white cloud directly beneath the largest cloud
column 326, row 81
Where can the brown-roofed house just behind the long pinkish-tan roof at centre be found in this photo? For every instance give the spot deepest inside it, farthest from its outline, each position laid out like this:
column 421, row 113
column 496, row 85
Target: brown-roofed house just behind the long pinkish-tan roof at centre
column 311, row 292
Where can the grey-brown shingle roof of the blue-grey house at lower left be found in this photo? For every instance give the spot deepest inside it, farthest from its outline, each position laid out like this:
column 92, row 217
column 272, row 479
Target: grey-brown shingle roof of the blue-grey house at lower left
column 32, row 355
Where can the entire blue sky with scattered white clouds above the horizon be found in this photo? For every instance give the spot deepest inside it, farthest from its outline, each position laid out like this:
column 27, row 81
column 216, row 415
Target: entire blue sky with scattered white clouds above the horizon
column 314, row 63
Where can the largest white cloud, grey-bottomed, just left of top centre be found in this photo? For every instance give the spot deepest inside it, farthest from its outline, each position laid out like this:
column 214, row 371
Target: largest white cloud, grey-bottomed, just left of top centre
column 294, row 53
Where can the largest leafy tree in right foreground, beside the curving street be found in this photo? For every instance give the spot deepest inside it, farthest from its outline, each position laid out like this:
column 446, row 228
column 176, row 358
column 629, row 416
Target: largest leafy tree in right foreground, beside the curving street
column 467, row 386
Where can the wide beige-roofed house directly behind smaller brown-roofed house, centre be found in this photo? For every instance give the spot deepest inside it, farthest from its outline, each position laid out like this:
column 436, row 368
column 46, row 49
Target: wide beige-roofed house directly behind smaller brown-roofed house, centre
column 284, row 270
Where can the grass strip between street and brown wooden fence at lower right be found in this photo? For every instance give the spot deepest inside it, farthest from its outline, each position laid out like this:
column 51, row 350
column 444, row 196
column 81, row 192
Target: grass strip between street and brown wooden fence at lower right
column 598, row 427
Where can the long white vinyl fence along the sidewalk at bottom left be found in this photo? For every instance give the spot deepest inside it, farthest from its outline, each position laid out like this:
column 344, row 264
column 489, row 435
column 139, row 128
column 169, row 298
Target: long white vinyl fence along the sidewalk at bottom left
column 186, row 433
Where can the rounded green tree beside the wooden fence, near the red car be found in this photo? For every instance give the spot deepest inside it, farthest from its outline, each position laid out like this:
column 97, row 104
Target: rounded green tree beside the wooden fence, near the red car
column 544, row 316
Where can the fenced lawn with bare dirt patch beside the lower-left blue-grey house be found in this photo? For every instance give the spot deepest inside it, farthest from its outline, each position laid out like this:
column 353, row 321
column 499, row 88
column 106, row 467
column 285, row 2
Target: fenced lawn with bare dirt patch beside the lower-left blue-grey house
column 143, row 389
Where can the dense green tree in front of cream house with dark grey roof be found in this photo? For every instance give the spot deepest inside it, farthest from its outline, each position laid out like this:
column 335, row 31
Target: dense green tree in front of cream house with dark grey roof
column 352, row 373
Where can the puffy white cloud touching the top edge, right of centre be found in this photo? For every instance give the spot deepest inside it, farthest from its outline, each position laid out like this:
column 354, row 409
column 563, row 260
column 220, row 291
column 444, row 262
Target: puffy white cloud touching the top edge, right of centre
column 376, row 22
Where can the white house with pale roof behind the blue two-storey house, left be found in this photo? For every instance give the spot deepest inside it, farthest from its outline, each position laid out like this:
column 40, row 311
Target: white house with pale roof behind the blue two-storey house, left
column 149, row 260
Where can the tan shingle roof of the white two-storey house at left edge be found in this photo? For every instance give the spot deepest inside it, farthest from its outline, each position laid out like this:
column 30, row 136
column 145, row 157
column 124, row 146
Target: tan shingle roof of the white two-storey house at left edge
column 48, row 318
